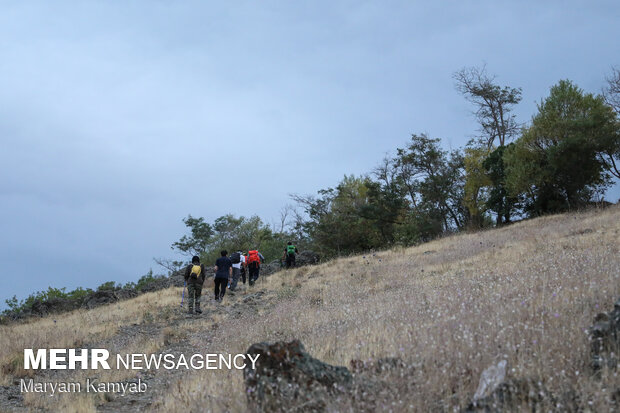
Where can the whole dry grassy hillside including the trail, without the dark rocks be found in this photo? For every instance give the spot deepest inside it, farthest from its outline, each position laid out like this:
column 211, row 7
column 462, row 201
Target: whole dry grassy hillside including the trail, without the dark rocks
column 446, row 310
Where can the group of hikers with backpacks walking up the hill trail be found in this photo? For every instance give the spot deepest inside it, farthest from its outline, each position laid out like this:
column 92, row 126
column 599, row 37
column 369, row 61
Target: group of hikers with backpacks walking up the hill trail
column 227, row 271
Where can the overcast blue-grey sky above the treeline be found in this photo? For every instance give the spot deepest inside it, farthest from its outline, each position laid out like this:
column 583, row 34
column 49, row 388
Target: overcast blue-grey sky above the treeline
column 118, row 119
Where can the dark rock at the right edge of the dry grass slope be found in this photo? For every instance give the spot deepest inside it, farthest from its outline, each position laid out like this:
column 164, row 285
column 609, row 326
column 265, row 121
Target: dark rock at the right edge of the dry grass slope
column 605, row 339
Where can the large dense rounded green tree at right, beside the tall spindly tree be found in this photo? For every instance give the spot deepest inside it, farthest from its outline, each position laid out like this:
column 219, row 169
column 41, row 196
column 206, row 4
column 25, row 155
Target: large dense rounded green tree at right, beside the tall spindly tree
column 557, row 162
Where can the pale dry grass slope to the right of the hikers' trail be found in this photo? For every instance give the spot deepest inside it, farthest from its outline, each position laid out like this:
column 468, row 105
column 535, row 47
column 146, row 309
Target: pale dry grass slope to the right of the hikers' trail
column 450, row 308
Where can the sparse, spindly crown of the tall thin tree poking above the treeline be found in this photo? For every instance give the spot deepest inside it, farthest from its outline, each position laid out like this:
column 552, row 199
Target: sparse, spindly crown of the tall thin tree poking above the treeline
column 493, row 104
